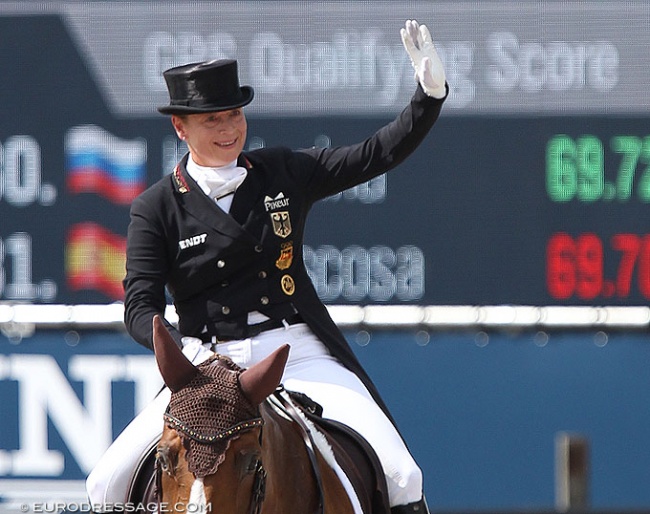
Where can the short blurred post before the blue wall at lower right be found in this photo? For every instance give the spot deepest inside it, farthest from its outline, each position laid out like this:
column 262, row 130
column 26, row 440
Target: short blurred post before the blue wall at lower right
column 571, row 472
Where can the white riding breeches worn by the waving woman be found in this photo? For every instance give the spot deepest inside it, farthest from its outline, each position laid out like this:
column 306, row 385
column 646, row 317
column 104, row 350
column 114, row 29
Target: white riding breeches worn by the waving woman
column 312, row 370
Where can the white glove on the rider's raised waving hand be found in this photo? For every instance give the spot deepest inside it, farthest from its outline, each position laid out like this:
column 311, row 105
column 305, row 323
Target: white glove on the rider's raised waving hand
column 429, row 71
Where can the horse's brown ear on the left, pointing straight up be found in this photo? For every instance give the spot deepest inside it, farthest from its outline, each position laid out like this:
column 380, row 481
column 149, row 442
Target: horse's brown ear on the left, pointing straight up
column 175, row 368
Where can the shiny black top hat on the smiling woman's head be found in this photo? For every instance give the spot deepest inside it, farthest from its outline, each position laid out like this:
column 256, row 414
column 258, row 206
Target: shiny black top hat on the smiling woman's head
column 205, row 87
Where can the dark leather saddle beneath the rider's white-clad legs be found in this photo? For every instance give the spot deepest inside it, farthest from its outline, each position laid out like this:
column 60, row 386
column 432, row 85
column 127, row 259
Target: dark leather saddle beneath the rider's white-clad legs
column 351, row 451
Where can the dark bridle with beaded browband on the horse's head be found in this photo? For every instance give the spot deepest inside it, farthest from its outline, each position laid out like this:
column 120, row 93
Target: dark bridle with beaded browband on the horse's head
column 259, row 483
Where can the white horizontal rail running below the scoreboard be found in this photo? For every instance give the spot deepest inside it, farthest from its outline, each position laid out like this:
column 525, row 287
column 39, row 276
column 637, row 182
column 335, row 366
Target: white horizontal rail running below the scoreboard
column 18, row 320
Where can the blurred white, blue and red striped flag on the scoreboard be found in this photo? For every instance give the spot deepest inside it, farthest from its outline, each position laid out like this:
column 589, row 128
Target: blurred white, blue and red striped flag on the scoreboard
column 98, row 162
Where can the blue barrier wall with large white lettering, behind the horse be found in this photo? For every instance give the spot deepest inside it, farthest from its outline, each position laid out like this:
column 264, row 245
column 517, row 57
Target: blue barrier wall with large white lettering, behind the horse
column 480, row 411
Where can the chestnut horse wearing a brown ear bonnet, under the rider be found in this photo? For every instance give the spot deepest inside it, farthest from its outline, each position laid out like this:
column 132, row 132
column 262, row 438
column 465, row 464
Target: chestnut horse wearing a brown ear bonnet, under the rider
column 235, row 442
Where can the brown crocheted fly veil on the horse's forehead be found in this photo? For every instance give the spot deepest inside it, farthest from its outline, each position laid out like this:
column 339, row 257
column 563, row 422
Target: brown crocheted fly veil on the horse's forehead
column 210, row 412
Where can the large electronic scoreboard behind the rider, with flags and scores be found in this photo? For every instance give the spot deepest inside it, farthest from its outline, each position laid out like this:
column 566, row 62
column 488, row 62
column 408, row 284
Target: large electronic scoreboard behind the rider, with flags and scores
column 533, row 188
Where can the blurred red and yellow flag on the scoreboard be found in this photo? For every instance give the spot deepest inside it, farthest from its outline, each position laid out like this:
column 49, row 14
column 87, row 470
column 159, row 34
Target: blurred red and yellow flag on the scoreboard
column 95, row 259
